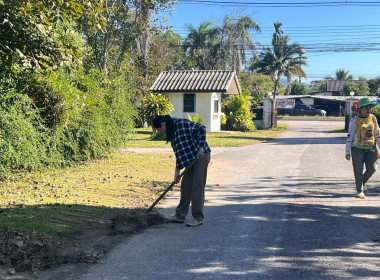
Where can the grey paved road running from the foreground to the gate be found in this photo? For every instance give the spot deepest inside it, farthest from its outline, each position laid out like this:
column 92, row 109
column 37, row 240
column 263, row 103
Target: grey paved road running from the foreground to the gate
column 280, row 210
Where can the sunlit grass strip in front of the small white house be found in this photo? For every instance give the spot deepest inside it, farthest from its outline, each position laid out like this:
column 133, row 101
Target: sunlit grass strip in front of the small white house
column 142, row 138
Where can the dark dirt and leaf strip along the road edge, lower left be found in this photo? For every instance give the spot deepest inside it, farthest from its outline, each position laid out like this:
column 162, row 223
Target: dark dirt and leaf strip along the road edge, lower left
column 27, row 256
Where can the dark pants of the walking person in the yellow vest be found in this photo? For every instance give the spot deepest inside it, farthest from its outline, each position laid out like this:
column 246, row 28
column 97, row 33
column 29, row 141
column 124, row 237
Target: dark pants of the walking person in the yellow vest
column 361, row 157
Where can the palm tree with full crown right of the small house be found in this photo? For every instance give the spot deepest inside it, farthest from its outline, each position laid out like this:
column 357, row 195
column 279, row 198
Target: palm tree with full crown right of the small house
column 283, row 59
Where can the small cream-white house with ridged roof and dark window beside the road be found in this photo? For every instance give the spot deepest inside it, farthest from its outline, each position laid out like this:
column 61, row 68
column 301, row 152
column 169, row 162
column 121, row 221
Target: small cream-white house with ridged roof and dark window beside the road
column 197, row 93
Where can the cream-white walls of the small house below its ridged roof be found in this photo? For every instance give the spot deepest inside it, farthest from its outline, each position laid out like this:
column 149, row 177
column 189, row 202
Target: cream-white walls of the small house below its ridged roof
column 204, row 107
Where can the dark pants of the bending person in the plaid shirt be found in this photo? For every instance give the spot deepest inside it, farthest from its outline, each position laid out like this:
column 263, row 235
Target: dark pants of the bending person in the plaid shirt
column 193, row 189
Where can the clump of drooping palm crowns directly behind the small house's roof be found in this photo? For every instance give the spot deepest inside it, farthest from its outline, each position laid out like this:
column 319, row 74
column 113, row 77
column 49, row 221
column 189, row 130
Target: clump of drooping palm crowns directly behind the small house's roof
column 211, row 47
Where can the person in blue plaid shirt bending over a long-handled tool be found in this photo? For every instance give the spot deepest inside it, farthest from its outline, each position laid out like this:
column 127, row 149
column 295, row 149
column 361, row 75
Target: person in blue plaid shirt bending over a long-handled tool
column 188, row 140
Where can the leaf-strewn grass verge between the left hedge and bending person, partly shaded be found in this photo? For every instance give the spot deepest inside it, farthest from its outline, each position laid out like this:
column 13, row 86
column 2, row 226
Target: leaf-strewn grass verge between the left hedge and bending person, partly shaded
column 57, row 203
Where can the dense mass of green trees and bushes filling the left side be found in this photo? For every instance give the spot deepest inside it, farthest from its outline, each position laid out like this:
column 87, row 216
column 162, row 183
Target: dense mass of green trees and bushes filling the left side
column 69, row 76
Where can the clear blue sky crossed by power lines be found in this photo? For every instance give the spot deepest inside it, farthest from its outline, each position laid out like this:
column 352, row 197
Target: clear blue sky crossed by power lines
column 324, row 31
